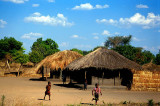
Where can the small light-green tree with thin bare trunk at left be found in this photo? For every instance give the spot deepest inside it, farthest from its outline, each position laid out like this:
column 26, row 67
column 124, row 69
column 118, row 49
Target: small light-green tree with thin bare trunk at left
column 21, row 58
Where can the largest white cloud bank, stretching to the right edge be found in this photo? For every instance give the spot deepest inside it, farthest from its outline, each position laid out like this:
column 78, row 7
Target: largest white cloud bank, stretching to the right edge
column 137, row 19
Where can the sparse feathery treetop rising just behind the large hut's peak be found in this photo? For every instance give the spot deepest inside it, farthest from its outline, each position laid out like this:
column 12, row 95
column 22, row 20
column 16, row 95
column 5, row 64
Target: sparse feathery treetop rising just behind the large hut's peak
column 113, row 42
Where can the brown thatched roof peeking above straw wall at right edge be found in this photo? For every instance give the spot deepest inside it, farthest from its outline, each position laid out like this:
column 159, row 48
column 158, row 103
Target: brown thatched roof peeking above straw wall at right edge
column 151, row 67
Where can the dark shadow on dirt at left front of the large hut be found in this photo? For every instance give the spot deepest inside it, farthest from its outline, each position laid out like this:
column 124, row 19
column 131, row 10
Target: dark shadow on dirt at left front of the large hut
column 73, row 85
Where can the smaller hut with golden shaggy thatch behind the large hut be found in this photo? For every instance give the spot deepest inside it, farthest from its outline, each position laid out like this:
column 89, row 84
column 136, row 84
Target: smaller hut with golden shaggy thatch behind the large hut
column 55, row 63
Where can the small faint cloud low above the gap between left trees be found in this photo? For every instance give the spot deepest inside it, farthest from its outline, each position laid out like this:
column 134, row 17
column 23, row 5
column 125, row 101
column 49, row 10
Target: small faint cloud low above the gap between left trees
column 31, row 36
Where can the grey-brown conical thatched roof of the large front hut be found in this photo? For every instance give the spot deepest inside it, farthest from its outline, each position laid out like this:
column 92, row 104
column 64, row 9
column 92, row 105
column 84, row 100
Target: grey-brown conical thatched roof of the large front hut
column 103, row 58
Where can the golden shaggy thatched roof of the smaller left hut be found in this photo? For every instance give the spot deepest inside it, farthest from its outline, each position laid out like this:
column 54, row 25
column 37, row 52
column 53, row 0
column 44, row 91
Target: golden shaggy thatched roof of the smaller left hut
column 59, row 60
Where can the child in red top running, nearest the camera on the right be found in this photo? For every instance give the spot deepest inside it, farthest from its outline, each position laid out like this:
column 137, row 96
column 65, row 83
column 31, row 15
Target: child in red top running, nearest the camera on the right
column 96, row 91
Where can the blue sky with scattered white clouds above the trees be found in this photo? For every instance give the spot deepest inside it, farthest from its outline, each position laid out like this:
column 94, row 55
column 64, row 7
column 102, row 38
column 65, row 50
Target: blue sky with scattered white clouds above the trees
column 82, row 24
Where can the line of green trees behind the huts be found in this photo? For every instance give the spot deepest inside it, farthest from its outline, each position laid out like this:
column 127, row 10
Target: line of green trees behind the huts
column 12, row 50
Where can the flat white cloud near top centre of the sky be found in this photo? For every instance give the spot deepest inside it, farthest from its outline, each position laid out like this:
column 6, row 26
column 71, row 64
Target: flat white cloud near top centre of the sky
column 88, row 6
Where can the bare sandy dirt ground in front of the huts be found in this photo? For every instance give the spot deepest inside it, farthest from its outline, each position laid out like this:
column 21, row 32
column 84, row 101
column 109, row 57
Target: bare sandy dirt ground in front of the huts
column 23, row 91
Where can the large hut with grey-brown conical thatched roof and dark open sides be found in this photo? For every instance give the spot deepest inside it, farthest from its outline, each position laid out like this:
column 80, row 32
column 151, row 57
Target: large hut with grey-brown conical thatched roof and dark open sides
column 103, row 66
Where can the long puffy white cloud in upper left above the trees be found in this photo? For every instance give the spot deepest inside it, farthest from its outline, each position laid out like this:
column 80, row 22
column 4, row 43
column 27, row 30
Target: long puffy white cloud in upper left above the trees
column 48, row 20
